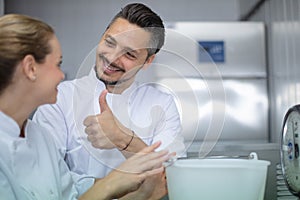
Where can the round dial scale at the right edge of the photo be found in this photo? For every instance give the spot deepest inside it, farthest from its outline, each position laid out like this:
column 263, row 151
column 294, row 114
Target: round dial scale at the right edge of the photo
column 290, row 141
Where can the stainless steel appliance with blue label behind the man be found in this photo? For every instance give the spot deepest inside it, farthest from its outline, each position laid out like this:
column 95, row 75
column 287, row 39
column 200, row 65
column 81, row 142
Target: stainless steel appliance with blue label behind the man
column 217, row 73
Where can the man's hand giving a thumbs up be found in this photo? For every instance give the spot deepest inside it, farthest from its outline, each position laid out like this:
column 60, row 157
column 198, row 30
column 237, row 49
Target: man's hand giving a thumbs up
column 103, row 130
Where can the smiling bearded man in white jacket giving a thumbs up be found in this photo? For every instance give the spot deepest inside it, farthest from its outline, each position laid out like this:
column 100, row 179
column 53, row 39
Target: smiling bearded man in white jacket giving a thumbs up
column 103, row 118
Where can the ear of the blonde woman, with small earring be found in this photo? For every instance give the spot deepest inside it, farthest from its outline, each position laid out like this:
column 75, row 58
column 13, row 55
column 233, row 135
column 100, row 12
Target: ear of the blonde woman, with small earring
column 29, row 67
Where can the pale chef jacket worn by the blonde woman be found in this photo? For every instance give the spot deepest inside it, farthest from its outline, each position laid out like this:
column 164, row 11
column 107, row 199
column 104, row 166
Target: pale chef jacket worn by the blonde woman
column 31, row 167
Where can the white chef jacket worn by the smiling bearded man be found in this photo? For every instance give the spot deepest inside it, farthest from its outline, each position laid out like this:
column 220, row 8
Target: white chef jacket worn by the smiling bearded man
column 149, row 112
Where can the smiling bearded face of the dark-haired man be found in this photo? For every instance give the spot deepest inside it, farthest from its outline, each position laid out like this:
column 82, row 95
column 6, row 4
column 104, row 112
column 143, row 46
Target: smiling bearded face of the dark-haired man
column 122, row 52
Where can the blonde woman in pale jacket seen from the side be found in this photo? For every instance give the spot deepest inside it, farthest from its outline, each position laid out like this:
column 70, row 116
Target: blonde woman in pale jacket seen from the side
column 30, row 166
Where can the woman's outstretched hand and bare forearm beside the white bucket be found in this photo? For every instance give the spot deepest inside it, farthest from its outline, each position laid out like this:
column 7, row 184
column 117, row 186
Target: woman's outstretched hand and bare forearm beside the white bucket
column 130, row 175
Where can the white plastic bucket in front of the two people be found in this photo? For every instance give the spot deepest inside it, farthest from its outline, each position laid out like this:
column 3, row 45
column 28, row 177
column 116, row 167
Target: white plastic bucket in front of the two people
column 217, row 179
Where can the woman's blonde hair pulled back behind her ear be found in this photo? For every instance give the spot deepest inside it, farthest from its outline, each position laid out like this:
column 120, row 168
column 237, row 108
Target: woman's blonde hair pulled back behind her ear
column 21, row 35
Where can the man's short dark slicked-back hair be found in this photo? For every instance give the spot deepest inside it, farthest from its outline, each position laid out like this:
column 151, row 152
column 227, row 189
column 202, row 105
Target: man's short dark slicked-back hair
column 144, row 17
